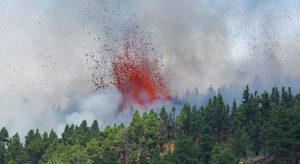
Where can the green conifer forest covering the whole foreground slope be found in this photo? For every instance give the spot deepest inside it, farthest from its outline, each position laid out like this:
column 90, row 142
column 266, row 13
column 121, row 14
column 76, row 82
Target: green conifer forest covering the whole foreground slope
column 263, row 128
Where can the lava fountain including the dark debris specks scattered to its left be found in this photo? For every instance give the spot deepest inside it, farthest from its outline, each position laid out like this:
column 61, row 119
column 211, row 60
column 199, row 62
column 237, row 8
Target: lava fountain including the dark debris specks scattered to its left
column 136, row 71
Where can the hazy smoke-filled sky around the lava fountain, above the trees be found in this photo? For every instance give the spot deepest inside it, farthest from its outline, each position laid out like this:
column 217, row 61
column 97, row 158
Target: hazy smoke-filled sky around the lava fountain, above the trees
column 45, row 73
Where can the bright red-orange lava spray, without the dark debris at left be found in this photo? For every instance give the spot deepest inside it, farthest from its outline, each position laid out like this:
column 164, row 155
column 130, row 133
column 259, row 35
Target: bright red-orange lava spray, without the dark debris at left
column 138, row 78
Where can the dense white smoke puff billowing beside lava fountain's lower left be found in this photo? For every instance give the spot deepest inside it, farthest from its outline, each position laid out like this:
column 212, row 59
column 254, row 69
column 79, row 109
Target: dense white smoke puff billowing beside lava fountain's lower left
column 103, row 107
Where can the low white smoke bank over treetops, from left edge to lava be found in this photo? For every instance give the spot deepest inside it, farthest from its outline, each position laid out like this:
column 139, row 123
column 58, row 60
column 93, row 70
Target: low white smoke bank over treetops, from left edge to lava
column 25, row 115
